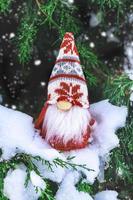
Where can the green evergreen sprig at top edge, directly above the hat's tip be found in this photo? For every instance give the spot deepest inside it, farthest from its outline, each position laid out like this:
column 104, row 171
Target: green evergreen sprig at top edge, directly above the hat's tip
column 66, row 22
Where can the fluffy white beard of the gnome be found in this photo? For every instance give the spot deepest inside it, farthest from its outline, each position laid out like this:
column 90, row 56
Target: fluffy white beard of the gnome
column 66, row 124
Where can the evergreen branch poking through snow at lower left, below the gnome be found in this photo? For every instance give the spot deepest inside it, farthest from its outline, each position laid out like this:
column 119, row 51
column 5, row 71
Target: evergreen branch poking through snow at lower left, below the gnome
column 28, row 161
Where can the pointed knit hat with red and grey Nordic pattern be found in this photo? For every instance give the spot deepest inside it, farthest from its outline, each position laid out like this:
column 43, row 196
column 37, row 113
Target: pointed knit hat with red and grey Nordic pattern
column 67, row 81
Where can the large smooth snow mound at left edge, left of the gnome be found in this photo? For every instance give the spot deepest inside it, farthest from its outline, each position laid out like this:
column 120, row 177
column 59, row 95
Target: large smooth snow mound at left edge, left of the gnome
column 17, row 134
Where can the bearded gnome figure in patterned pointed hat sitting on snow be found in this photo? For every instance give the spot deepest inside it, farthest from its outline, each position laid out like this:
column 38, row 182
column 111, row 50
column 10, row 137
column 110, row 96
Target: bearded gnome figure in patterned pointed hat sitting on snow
column 65, row 121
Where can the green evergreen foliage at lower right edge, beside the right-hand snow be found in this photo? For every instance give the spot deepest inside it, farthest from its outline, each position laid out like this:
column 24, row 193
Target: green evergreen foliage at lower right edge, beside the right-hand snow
column 121, row 158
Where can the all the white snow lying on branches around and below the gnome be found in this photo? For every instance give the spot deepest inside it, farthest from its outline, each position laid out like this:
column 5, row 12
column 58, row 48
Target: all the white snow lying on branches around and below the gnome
column 17, row 135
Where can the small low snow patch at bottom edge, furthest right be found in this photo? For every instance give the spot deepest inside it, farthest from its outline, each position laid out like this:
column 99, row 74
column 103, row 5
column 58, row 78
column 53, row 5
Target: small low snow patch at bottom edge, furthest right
column 106, row 195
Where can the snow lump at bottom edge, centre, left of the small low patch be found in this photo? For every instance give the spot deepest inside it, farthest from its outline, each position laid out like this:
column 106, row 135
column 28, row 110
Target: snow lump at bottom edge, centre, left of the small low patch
column 68, row 191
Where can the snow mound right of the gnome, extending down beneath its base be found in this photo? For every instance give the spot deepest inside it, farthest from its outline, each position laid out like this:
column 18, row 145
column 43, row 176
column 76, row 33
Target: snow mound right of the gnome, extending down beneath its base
column 109, row 118
